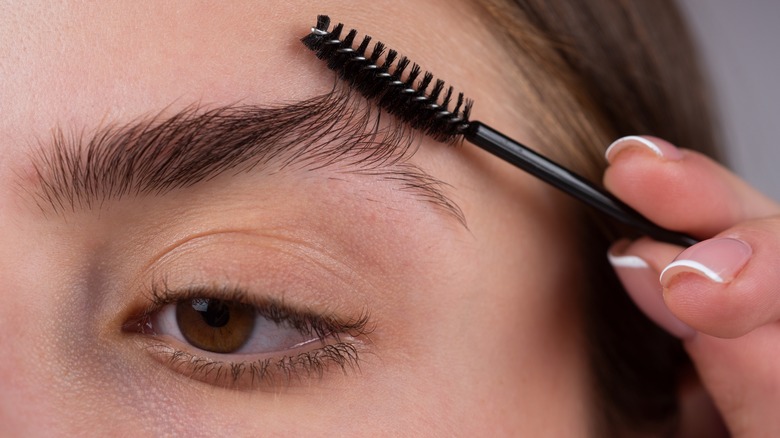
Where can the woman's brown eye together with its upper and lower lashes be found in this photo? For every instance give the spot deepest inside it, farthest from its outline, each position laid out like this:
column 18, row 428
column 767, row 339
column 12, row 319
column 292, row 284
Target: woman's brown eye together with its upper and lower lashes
column 223, row 338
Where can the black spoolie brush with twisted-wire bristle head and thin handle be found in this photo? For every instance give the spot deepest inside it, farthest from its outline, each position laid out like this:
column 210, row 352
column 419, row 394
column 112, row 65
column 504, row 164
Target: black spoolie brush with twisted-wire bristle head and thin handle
column 401, row 88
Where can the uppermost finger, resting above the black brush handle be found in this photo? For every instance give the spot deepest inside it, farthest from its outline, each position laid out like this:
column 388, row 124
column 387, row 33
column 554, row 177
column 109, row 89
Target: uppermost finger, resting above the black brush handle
column 680, row 189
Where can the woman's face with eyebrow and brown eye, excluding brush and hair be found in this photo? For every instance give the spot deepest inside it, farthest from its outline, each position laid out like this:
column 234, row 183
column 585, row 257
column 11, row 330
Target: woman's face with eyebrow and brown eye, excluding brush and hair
column 380, row 310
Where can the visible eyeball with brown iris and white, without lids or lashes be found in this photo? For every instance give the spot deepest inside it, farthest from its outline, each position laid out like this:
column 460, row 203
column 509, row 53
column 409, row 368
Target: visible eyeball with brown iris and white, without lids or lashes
column 229, row 327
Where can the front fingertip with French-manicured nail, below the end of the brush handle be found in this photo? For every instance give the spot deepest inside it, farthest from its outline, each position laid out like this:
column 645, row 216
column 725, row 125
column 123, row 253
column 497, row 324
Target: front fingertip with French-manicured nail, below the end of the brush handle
column 729, row 285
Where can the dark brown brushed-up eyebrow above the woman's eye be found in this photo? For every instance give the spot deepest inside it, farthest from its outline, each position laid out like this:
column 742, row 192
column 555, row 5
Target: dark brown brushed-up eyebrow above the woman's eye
column 156, row 155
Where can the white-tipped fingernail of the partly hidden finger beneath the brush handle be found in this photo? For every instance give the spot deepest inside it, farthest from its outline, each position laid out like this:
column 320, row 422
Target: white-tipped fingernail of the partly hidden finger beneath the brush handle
column 641, row 283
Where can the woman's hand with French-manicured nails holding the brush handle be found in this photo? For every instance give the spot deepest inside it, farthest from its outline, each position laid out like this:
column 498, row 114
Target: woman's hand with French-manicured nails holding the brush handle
column 720, row 296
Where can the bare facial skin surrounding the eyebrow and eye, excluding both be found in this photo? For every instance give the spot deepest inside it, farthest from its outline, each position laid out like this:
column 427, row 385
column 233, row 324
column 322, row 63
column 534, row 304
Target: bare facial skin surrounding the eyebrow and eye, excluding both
column 473, row 329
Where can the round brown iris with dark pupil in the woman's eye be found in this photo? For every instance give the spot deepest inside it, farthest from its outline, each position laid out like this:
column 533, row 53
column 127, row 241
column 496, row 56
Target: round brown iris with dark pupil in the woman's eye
column 215, row 325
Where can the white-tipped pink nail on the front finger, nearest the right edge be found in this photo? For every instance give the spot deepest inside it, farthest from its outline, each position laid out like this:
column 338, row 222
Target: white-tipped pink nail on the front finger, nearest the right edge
column 718, row 260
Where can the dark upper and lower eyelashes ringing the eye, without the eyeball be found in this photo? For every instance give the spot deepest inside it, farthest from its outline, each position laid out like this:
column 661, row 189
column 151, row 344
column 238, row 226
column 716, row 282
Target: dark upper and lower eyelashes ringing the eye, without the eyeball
column 340, row 341
